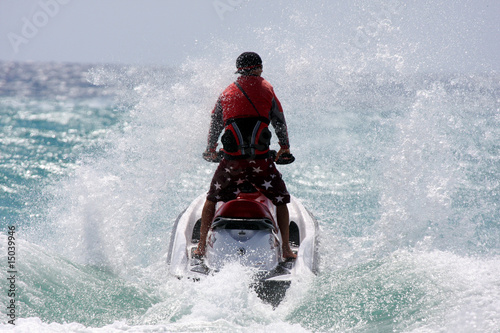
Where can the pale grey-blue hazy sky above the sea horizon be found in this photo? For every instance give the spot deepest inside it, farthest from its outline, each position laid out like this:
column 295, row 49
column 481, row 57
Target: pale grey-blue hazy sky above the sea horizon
column 453, row 35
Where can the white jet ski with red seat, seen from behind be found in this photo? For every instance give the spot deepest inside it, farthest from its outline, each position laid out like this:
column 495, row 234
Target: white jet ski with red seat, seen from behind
column 245, row 230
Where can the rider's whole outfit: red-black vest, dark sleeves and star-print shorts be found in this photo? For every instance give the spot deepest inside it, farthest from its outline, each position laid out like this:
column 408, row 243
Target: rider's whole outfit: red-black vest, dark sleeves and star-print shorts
column 246, row 140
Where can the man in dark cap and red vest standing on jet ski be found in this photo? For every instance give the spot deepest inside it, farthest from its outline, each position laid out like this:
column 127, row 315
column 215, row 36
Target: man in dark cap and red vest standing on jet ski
column 244, row 110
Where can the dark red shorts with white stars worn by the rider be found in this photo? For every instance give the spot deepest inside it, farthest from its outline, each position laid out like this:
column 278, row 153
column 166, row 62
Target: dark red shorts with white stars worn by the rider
column 232, row 175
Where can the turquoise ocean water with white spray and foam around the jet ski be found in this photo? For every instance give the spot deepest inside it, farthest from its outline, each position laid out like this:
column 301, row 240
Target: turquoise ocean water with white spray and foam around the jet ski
column 401, row 167
